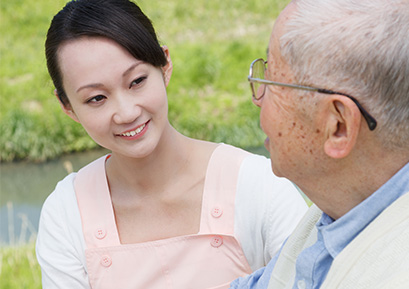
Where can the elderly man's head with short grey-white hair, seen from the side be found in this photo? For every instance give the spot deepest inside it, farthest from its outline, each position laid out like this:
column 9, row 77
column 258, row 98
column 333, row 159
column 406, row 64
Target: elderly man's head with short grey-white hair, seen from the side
column 357, row 50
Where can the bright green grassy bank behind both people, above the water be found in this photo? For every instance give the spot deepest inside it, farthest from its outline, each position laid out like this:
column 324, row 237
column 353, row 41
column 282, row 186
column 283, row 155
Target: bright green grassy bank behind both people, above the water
column 211, row 42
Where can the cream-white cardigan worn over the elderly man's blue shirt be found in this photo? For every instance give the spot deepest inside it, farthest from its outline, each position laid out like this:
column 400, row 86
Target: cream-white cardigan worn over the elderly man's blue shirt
column 377, row 258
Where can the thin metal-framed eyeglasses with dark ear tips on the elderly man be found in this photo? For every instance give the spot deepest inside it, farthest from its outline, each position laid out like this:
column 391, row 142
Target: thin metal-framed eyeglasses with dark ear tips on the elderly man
column 258, row 88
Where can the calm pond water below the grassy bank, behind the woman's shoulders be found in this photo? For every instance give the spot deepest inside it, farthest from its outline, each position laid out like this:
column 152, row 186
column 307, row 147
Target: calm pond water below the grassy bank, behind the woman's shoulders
column 25, row 186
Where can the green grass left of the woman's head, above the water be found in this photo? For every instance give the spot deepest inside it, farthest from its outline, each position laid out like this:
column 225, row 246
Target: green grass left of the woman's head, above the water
column 31, row 126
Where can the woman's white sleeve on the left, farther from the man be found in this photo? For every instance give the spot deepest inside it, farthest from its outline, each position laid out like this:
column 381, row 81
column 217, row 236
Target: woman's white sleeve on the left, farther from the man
column 60, row 243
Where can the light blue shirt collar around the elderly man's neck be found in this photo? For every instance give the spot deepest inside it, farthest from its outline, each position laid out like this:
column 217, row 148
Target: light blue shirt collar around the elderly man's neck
column 338, row 234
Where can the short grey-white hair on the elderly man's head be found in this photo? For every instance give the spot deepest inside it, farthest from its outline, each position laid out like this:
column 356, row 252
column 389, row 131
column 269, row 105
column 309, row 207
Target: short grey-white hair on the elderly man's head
column 358, row 47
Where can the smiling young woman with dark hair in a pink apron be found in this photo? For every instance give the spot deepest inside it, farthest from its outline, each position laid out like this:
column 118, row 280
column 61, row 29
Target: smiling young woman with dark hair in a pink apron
column 162, row 210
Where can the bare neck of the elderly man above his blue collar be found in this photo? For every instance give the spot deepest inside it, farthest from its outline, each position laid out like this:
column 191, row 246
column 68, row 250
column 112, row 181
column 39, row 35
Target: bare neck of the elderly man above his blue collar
column 344, row 187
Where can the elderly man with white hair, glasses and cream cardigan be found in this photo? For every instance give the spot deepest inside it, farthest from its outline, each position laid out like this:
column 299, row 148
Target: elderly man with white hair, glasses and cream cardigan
column 334, row 99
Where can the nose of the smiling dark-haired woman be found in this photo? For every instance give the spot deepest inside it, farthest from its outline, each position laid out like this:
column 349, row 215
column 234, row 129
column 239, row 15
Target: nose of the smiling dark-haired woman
column 126, row 110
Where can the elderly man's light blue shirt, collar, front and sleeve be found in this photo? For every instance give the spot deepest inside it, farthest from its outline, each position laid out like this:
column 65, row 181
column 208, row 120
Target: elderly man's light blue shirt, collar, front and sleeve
column 313, row 263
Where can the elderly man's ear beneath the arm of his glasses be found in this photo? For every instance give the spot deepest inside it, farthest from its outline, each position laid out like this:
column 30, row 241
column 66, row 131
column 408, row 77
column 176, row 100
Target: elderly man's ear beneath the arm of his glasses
column 342, row 127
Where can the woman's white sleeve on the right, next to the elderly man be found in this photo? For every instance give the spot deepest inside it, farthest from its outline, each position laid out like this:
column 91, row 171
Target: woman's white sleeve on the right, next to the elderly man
column 268, row 208
